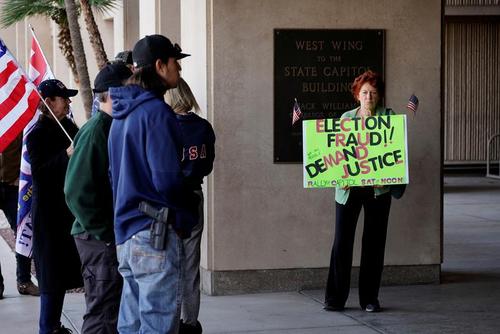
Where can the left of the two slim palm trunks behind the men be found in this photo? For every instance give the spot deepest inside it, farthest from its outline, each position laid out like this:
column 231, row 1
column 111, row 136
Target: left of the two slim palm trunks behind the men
column 79, row 52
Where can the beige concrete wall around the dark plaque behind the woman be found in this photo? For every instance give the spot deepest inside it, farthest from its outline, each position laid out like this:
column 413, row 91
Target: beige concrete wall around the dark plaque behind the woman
column 259, row 218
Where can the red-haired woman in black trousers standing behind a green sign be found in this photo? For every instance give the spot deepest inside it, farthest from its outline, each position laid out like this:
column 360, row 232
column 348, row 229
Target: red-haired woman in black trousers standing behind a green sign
column 368, row 89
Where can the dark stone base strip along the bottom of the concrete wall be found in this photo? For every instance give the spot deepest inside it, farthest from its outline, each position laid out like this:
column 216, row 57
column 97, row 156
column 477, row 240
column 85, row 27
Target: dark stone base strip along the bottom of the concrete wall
column 216, row 283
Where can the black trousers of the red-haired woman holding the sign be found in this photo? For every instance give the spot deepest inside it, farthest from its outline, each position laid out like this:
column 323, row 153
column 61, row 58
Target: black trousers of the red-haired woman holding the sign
column 376, row 213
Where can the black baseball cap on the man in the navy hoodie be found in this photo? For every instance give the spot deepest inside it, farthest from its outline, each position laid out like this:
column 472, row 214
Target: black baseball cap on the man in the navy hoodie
column 150, row 48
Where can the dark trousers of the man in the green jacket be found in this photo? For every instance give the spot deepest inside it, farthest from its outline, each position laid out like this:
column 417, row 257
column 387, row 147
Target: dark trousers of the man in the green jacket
column 102, row 282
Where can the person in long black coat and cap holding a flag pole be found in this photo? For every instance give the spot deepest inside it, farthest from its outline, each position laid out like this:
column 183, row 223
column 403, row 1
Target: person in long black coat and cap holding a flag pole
column 56, row 258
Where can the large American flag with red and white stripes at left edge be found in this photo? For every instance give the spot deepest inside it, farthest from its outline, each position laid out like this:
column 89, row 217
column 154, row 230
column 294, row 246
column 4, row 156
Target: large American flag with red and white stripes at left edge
column 18, row 98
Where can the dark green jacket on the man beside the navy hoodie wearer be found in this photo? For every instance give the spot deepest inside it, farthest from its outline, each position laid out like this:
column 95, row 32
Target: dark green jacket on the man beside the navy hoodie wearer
column 87, row 187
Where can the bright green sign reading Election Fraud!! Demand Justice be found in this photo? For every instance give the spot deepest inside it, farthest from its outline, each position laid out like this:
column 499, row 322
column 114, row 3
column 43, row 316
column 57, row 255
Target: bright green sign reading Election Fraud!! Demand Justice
column 353, row 152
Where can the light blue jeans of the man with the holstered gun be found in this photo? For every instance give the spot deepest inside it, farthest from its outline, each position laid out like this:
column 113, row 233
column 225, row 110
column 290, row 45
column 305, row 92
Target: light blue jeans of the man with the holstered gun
column 152, row 285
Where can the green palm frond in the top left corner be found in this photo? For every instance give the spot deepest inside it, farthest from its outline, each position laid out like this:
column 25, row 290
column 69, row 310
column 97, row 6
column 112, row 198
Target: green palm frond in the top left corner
column 13, row 11
